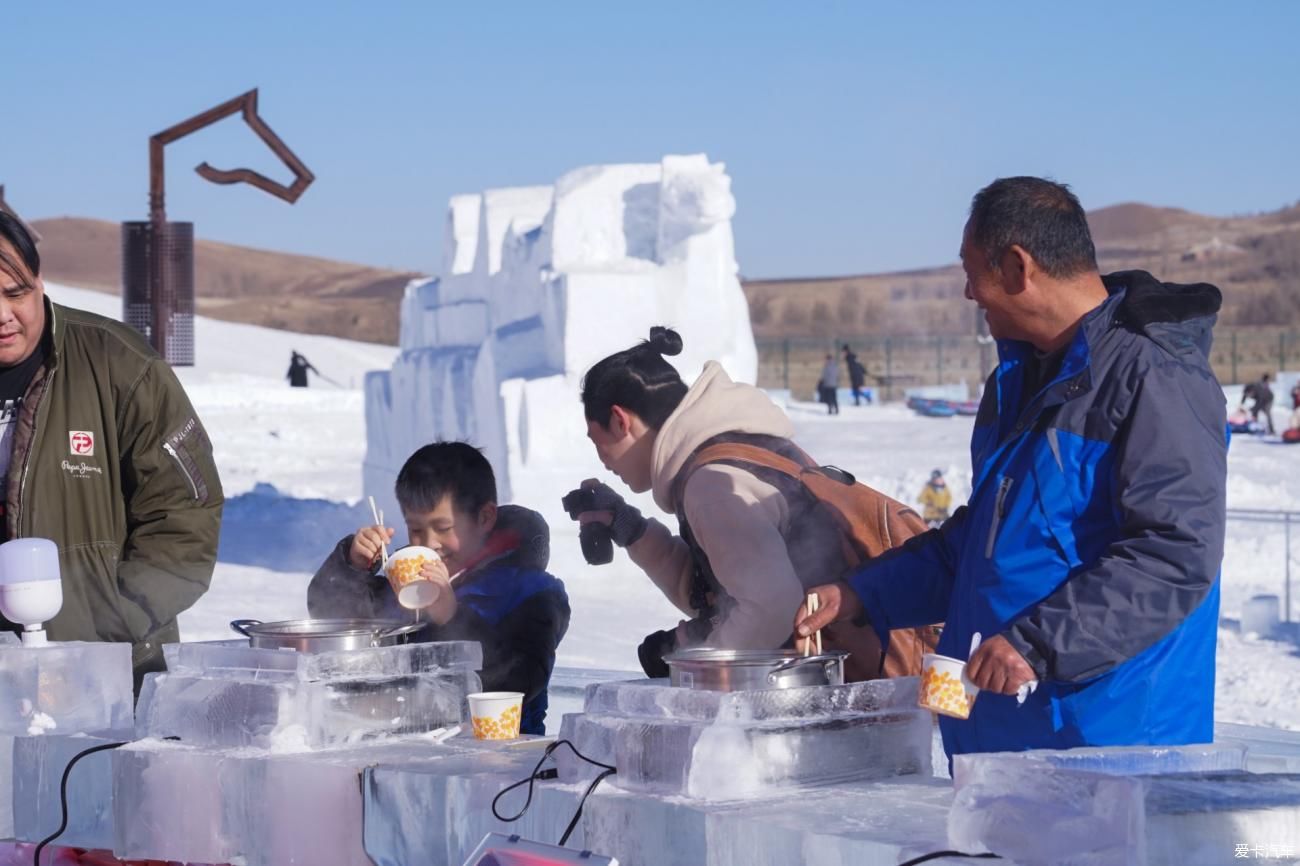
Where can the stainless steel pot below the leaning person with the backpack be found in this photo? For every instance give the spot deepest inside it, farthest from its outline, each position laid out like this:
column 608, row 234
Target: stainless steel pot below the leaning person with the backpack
column 742, row 670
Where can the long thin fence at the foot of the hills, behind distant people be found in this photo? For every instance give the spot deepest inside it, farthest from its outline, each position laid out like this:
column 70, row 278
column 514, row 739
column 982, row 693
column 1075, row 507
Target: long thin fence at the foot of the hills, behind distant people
column 900, row 362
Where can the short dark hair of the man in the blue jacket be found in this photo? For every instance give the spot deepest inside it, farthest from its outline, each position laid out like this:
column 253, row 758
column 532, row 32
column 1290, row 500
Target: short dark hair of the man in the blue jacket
column 1042, row 218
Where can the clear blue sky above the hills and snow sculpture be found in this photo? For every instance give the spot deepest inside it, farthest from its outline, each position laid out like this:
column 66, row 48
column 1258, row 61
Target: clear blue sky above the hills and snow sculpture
column 855, row 133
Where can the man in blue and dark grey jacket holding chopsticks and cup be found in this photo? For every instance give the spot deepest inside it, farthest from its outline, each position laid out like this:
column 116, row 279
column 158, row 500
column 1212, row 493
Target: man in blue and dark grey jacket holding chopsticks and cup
column 1090, row 551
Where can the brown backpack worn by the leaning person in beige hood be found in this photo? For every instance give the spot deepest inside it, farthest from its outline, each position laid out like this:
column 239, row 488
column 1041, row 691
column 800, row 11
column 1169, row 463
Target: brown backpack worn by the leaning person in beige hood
column 870, row 523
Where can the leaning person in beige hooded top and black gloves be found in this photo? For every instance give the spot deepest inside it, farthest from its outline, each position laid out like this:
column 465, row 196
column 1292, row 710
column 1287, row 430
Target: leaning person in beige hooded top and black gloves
column 746, row 552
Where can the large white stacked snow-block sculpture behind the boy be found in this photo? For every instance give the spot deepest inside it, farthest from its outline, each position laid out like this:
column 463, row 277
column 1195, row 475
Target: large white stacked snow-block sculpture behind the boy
column 541, row 283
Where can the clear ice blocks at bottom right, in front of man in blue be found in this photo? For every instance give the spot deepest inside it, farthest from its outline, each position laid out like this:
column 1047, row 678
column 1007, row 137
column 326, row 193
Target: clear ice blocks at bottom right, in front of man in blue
column 1116, row 806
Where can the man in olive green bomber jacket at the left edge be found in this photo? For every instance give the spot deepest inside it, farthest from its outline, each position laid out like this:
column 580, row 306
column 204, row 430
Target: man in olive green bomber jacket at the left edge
column 102, row 453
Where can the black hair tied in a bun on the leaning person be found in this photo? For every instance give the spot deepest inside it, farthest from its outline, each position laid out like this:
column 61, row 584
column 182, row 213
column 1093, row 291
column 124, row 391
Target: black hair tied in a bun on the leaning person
column 638, row 379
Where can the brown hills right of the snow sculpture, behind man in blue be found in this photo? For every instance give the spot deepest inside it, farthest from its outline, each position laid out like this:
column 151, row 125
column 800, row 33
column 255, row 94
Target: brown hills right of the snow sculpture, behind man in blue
column 1254, row 259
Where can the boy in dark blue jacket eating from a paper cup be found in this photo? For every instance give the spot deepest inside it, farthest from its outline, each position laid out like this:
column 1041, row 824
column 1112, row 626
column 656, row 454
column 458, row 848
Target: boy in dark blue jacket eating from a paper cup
column 505, row 599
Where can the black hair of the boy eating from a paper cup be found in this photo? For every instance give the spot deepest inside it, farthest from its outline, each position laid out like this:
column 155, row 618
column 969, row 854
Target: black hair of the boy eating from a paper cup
column 447, row 469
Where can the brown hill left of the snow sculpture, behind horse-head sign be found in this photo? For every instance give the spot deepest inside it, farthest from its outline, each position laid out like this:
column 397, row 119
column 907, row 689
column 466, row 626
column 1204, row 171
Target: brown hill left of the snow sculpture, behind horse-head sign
column 241, row 284
